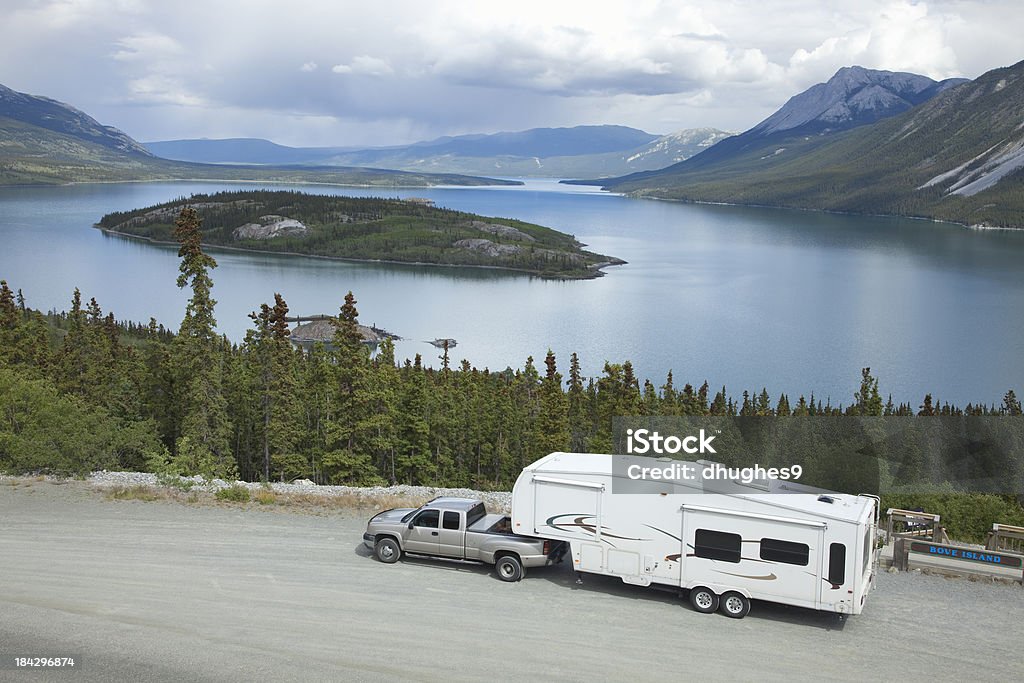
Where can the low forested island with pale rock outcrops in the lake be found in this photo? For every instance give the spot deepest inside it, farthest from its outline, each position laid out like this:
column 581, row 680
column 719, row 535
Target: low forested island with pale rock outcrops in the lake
column 367, row 229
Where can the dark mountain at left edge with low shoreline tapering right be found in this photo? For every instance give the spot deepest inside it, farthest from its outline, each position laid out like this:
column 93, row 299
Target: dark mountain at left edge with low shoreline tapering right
column 47, row 142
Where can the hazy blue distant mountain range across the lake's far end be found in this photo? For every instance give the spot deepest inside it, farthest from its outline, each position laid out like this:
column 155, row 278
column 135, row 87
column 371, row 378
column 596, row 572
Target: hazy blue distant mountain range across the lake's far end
column 539, row 152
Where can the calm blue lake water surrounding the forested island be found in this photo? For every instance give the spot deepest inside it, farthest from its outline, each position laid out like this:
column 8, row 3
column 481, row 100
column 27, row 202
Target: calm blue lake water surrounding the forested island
column 743, row 297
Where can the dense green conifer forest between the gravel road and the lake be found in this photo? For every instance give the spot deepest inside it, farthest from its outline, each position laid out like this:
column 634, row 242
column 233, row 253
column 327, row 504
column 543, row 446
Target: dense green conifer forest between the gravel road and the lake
column 82, row 392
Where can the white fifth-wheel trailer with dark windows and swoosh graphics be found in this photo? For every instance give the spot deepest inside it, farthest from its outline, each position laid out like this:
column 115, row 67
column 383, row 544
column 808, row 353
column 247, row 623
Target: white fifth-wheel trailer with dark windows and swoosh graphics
column 760, row 541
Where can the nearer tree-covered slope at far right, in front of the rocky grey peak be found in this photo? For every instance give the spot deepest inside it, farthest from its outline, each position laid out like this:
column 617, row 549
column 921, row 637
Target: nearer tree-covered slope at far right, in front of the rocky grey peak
column 957, row 157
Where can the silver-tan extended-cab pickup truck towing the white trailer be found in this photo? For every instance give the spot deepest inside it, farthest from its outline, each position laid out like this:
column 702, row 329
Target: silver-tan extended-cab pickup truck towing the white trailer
column 459, row 529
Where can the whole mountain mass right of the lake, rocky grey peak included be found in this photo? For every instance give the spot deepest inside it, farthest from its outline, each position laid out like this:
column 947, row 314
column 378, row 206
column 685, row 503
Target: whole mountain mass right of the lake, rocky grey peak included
column 872, row 143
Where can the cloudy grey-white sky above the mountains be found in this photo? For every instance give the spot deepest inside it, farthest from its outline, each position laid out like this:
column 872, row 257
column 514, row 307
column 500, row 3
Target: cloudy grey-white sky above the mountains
column 338, row 72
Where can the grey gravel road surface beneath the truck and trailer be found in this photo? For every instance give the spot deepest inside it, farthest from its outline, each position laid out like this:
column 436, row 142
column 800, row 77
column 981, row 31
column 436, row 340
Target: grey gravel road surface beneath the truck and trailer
column 164, row 591
